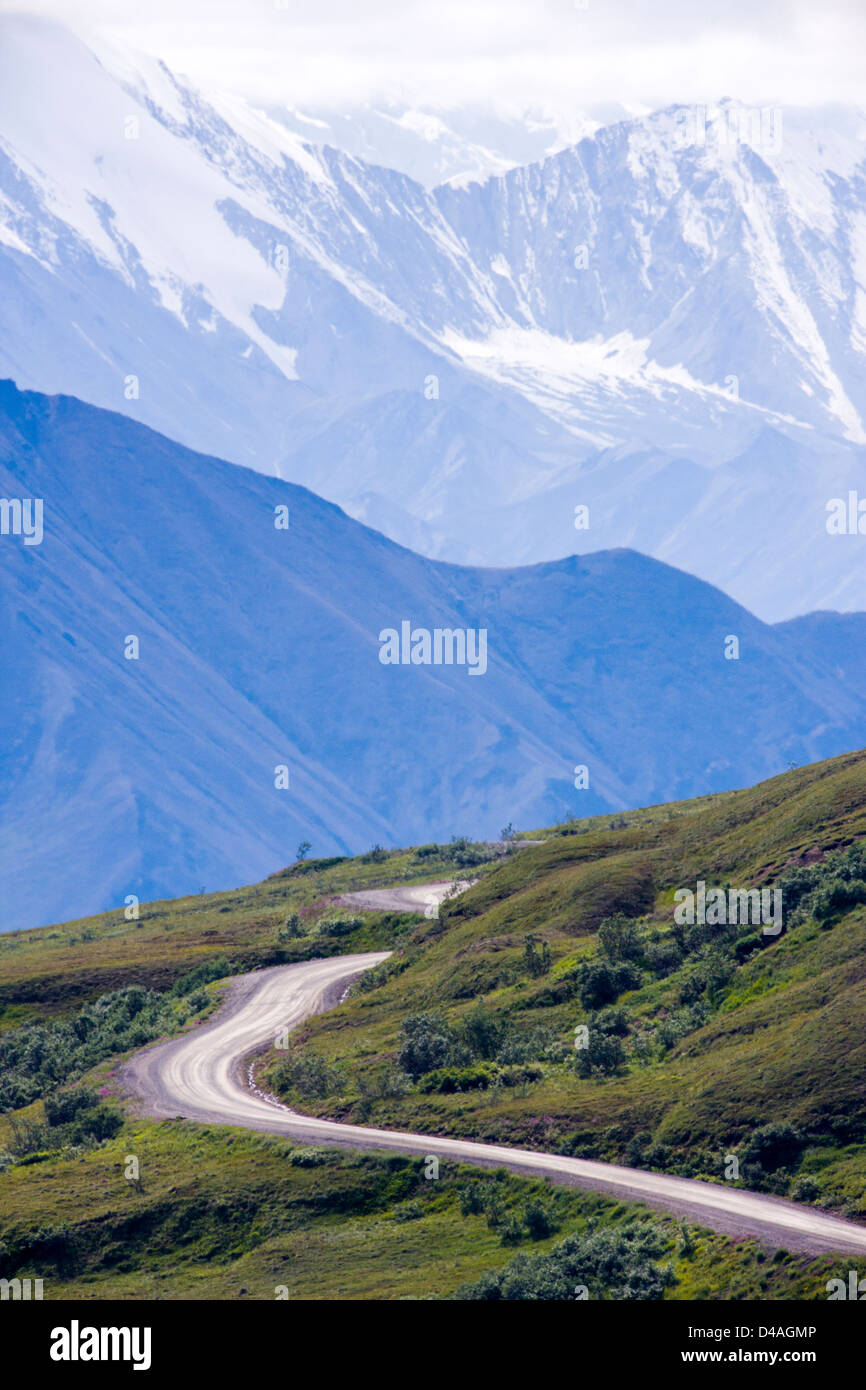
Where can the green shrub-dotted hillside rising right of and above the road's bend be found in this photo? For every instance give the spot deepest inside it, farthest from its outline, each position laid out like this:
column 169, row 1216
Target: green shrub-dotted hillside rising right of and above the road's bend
column 711, row 1040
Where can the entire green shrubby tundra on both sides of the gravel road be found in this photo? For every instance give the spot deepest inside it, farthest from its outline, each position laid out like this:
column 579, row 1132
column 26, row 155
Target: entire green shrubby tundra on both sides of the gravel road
column 708, row 1052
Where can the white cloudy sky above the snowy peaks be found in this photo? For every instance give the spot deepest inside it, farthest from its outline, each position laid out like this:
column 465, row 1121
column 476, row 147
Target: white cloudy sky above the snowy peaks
column 507, row 55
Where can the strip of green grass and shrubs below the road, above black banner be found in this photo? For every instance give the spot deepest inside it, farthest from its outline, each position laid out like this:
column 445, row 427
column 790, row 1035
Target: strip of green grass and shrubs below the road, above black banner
column 224, row 1214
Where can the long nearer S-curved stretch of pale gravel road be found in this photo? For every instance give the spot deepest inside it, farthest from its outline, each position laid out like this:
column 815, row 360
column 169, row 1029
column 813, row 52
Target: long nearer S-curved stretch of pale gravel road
column 206, row 1077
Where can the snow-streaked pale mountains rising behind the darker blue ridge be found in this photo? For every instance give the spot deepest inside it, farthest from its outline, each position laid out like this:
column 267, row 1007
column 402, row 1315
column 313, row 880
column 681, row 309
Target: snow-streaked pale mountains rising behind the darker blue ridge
column 665, row 323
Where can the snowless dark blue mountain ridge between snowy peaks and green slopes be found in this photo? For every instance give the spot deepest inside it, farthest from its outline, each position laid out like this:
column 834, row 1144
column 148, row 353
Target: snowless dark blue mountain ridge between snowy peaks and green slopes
column 259, row 648
